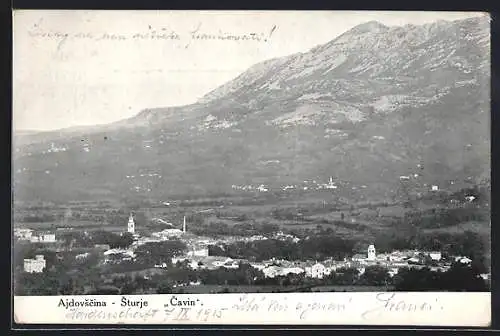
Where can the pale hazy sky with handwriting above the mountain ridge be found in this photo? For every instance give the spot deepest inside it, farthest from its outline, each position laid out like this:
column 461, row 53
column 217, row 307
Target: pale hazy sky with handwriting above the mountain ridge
column 71, row 67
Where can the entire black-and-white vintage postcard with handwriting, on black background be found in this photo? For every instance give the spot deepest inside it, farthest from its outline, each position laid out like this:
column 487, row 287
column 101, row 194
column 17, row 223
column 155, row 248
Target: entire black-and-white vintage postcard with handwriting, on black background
column 246, row 167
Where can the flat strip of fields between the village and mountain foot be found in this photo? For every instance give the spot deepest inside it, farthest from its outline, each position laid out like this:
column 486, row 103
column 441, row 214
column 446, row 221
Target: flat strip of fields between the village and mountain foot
column 289, row 212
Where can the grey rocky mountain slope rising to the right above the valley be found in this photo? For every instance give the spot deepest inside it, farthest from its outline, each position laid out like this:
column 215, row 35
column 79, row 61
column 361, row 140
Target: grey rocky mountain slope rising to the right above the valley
column 374, row 104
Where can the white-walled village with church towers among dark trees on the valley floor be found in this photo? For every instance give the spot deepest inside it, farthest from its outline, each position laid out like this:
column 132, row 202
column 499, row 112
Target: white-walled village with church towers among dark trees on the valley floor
column 197, row 256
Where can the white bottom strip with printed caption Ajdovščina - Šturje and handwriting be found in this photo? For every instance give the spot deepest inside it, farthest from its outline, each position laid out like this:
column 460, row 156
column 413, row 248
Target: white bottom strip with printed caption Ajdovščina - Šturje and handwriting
column 444, row 309
